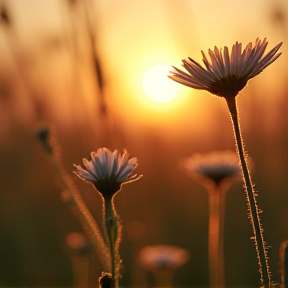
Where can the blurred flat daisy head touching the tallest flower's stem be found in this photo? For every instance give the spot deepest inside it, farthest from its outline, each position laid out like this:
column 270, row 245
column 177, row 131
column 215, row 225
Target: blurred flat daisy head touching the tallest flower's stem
column 213, row 168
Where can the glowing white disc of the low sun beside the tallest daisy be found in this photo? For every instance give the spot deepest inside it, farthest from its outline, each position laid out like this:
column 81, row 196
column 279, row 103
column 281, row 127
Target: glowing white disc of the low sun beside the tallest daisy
column 157, row 86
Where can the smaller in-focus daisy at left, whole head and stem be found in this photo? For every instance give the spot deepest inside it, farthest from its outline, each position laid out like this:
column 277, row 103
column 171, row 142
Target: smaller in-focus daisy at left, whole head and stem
column 108, row 171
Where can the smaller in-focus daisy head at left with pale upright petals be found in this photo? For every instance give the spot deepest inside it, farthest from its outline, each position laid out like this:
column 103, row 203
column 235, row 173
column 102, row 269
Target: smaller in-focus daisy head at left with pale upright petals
column 108, row 170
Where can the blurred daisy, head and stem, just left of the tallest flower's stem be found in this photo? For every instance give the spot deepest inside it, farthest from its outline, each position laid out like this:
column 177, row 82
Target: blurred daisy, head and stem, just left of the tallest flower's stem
column 216, row 171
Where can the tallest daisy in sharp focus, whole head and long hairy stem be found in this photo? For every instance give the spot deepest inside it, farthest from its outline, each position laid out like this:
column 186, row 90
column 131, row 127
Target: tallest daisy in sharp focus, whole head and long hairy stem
column 225, row 75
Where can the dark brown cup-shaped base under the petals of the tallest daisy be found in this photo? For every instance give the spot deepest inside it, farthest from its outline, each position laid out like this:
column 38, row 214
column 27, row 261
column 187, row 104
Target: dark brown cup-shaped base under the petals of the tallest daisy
column 228, row 86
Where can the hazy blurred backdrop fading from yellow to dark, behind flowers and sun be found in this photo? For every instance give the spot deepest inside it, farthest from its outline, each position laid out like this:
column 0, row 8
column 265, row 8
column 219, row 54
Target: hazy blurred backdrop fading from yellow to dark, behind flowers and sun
column 47, row 73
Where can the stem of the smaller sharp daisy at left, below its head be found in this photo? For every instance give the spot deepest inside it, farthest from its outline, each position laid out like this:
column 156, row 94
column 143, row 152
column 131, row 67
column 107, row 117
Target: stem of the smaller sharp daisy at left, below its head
column 112, row 228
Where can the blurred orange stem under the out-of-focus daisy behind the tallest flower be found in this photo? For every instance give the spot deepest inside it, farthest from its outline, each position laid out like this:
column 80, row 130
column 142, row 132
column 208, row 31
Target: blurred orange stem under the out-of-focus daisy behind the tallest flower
column 216, row 230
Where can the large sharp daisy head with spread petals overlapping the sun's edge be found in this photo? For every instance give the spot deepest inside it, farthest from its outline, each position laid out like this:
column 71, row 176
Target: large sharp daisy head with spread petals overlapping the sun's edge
column 226, row 73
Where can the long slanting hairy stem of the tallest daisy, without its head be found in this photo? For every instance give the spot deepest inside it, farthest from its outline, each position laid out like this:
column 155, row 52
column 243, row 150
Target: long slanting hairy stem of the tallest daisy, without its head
column 253, row 210
